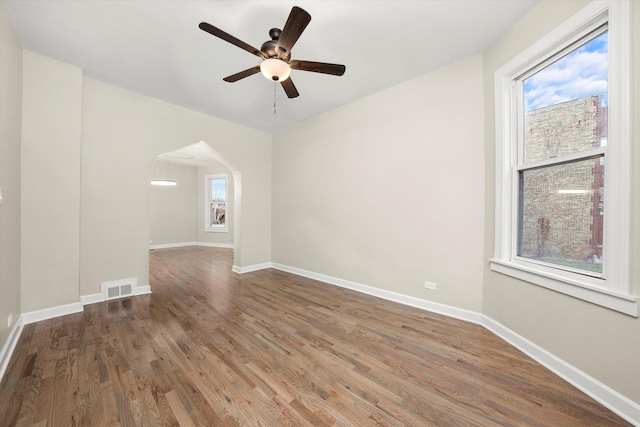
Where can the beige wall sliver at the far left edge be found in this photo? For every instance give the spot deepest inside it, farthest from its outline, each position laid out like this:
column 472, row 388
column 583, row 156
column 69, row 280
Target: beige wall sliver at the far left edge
column 10, row 134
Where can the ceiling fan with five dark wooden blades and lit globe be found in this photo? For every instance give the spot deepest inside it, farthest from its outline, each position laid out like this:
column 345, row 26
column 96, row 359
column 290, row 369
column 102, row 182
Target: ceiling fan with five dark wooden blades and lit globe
column 276, row 62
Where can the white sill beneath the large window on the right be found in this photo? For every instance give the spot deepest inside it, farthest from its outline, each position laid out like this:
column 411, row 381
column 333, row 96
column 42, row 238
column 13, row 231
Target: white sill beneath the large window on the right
column 626, row 304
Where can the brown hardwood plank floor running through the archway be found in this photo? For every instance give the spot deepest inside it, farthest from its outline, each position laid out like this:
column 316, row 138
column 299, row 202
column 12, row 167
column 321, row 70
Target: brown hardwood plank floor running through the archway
column 210, row 347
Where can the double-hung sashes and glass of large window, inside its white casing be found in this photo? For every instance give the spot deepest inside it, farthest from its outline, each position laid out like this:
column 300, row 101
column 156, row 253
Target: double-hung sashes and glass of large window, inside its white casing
column 562, row 129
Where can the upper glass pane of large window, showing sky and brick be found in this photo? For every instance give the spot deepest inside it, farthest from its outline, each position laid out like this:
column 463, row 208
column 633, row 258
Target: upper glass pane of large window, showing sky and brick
column 565, row 103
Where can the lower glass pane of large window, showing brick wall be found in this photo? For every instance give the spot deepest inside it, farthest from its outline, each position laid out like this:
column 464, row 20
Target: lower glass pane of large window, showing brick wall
column 561, row 214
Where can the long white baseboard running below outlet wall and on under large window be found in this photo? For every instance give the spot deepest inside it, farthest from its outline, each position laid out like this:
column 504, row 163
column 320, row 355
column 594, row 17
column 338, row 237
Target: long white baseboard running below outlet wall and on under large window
column 616, row 402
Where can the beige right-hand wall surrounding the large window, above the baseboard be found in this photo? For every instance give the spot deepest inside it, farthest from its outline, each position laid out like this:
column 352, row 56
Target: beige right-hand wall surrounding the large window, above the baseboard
column 601, row 342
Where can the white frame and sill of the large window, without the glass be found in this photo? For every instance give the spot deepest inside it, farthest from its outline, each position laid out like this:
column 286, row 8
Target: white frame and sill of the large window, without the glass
column 613, row 288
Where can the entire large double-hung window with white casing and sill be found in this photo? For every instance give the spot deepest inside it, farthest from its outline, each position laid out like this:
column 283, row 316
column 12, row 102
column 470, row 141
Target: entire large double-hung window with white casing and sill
column 562, row 114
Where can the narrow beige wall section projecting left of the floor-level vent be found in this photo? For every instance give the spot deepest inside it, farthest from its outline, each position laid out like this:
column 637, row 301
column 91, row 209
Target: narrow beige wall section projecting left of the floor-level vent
column 51, row 117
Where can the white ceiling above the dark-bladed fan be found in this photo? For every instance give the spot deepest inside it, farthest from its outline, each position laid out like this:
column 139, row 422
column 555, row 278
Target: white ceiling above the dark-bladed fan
column 155, row 47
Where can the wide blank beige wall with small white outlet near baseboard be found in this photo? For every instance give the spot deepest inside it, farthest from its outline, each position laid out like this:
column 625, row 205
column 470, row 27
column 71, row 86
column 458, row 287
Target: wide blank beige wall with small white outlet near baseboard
column 388, row 191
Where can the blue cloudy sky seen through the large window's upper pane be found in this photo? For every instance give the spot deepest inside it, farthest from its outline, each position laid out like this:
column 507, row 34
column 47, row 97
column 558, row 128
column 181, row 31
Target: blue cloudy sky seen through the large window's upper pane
column 581, row 73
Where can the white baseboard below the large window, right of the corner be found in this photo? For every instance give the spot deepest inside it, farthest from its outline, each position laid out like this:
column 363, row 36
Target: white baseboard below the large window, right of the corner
column 616, row 402
